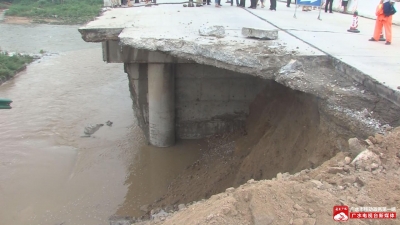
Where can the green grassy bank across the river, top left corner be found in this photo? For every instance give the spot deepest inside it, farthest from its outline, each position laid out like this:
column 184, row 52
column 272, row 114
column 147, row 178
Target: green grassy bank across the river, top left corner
column 56, row 11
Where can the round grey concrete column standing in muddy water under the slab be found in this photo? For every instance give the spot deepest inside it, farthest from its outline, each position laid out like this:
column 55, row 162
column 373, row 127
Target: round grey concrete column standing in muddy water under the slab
column 161, row 79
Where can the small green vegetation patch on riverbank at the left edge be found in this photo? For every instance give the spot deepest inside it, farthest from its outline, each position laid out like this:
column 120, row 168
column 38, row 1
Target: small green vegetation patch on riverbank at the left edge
column 9, row 65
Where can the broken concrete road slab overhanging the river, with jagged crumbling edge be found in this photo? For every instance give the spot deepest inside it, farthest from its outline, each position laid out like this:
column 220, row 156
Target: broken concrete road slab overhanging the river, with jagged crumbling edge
column 169, row 34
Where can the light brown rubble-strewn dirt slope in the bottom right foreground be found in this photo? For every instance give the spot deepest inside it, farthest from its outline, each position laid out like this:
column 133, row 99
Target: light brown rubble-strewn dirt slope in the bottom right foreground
column 306, row 197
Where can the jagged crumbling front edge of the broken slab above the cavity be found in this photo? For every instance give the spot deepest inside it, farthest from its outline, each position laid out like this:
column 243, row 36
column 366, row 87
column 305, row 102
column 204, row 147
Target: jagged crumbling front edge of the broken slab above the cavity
column 226, row 60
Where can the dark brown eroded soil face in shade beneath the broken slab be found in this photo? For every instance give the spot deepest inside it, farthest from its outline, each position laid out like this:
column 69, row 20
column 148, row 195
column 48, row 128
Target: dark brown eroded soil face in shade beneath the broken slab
column 285, row 132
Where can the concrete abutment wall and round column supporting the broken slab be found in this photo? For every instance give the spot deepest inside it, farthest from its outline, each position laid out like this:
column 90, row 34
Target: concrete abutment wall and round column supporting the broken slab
column 175, row 98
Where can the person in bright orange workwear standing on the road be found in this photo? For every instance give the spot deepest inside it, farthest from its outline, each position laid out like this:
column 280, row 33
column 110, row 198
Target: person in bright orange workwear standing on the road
column 382, row 21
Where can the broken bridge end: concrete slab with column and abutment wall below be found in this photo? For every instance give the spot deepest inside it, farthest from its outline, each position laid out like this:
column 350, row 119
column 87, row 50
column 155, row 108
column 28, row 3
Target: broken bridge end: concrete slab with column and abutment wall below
column 187, row 85
